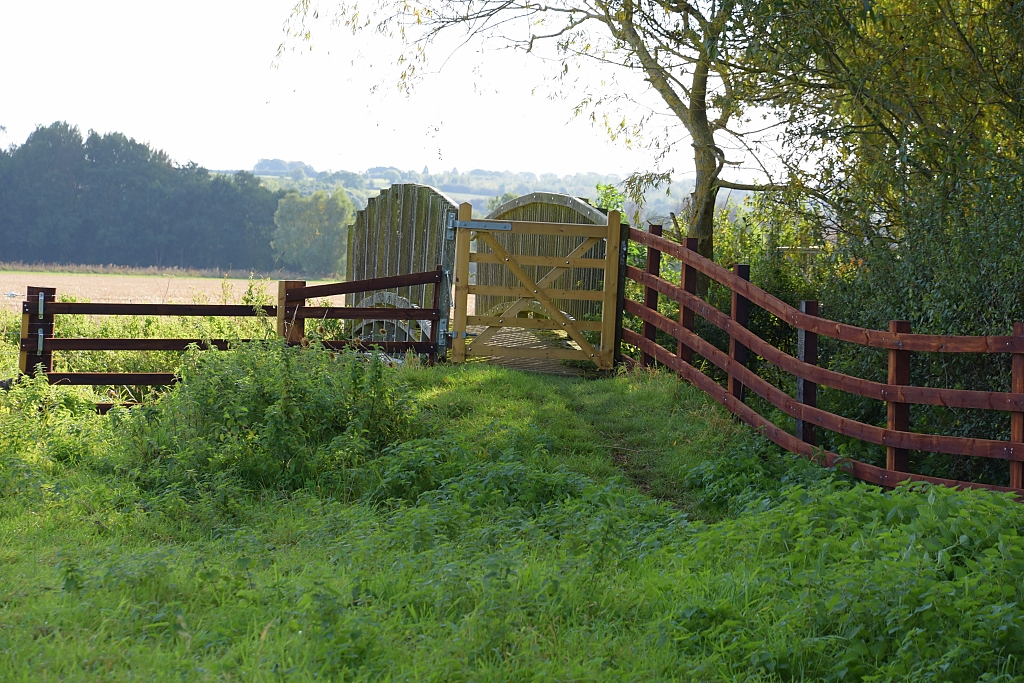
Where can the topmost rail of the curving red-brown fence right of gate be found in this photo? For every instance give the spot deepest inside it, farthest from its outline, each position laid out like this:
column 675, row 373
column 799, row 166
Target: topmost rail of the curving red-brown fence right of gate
column 841, row 331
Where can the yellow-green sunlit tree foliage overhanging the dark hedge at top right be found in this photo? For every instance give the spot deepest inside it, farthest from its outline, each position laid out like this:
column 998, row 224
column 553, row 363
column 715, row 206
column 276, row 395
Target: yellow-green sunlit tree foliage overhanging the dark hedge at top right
column 891, row 102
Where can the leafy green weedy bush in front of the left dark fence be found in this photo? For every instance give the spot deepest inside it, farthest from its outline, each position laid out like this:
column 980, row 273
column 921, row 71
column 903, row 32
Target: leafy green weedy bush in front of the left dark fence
column 269, row 416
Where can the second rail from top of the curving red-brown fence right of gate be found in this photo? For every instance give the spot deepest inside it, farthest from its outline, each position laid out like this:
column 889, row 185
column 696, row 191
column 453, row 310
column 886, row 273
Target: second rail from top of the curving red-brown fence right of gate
column 926, row 396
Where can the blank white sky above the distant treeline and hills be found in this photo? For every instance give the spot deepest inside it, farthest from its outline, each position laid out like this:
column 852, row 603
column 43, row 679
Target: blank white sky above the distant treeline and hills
column 196, row 79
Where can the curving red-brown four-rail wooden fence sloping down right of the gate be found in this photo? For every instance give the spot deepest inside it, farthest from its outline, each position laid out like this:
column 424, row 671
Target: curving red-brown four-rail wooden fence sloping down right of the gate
column 897, row 437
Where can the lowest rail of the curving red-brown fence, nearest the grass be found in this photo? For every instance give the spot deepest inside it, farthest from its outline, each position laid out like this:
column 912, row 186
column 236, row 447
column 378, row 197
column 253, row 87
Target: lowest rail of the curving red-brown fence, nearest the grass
column 861, row 471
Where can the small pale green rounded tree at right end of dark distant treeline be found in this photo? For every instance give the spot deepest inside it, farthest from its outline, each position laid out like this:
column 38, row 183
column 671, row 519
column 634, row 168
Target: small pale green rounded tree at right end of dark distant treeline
column 312, row 231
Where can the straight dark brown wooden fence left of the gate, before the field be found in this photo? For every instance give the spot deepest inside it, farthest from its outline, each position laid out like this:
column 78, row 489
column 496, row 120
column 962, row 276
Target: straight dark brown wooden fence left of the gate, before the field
column 40, row 308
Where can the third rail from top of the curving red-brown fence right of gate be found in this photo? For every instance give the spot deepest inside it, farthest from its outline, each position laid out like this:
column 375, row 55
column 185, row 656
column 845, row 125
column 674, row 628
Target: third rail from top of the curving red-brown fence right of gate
column 779, row 399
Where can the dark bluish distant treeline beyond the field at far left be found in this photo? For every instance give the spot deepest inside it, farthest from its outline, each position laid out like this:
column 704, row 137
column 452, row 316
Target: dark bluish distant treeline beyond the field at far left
column 109, row 199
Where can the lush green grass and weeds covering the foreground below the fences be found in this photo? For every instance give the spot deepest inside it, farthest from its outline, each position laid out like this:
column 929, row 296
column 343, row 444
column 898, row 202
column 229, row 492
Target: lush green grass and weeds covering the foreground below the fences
column 285, row 516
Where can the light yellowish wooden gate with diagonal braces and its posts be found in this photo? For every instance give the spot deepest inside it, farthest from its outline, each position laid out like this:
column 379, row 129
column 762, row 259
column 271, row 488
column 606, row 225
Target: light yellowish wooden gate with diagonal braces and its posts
column 537, row 275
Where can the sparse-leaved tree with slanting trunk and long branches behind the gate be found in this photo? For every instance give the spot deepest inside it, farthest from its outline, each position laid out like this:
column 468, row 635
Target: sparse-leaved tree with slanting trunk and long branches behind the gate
column 689, row 53
